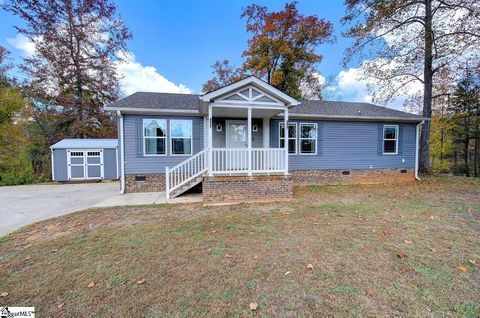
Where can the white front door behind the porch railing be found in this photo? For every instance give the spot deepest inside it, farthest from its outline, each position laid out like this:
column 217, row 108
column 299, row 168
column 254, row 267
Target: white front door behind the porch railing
column 236, row 138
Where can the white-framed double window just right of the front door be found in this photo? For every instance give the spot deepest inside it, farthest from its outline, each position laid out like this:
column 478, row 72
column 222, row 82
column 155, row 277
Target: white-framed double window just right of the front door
column 307, row 135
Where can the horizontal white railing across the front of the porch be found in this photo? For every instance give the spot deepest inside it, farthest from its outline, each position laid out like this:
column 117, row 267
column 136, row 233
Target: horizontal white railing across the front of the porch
column 236, row 160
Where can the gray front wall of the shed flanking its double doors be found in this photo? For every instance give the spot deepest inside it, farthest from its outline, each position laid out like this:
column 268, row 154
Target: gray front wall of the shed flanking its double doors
column 60, row 164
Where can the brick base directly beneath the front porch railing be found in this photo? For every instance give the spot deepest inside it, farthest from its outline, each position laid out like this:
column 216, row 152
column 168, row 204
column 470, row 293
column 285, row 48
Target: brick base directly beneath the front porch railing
column 236, row 189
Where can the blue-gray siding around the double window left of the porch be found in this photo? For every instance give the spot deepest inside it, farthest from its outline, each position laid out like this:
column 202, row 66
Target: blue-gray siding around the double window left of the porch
column 136, row 162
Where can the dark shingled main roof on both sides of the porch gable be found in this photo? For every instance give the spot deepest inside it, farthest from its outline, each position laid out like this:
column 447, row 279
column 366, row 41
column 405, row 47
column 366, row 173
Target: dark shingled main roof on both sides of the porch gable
column 165, row 103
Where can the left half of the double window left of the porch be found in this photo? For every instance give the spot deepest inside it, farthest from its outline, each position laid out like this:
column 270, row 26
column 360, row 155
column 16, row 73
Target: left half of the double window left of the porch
column 154, row 137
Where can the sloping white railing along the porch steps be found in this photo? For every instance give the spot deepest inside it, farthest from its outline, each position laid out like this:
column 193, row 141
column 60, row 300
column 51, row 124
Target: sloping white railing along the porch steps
column 185, row 171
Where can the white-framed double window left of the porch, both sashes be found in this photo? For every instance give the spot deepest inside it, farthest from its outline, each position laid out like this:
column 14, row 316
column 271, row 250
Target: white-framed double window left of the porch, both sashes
column 155, row 137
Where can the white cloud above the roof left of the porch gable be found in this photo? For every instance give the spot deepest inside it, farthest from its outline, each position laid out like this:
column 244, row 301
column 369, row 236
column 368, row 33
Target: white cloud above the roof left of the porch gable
column 136, row 77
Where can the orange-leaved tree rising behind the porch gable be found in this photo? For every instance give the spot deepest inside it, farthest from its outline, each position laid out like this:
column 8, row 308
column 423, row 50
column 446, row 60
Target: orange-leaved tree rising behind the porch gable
column 282, row 49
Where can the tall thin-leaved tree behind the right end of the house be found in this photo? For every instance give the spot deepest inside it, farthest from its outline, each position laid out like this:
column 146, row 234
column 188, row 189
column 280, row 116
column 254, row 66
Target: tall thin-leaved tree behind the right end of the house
column 411, row 41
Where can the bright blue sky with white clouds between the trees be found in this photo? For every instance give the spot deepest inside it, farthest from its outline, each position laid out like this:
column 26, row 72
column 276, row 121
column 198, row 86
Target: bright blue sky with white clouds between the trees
column 176, row 42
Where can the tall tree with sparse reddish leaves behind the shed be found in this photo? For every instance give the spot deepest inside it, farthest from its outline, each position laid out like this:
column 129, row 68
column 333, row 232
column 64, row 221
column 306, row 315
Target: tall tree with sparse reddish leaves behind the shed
column 72, row 72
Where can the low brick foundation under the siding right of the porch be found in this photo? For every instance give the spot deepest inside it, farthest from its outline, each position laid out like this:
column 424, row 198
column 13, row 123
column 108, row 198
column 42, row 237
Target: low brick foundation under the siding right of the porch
column 355, row 176
